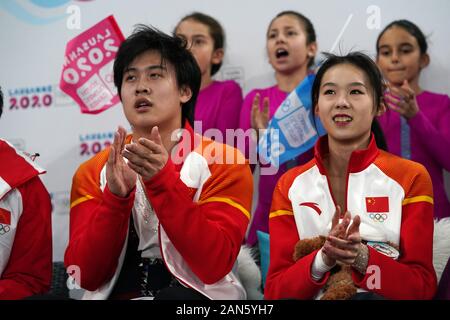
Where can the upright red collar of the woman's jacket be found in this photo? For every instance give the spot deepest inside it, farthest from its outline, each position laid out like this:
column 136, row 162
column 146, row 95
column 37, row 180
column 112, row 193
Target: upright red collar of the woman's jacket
column 359, row 159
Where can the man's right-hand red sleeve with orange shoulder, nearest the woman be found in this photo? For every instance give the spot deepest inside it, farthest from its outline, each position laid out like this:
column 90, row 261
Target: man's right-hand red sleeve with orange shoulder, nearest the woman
column 208, row 233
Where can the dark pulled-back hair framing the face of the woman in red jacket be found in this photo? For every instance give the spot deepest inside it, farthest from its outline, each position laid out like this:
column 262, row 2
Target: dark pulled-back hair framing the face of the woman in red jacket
column 360, row 61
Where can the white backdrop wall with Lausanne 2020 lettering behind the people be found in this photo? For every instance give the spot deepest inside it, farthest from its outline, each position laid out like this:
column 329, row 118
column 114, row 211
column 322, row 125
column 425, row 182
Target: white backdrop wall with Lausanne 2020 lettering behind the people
column 38, row 117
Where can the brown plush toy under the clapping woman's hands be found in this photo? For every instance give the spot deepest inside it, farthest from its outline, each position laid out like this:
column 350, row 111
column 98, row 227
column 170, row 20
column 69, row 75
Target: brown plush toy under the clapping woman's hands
column 340, row 284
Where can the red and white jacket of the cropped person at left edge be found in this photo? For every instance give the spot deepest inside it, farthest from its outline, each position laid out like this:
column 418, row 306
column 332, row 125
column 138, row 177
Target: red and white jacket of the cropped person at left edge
column 25, row 227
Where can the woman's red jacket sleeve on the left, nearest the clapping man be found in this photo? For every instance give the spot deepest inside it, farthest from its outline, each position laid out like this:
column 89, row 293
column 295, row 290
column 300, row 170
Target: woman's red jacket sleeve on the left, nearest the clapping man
column 286, row 278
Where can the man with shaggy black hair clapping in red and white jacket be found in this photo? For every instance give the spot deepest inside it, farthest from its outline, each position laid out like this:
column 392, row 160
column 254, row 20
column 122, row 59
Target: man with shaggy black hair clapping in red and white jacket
column 161, row 213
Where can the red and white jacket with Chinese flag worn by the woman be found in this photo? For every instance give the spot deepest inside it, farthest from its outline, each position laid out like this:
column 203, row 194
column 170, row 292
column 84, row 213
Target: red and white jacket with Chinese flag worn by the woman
column 394, row 199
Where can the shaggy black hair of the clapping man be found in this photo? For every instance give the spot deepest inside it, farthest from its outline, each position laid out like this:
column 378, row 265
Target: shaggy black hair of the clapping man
column 173, row 51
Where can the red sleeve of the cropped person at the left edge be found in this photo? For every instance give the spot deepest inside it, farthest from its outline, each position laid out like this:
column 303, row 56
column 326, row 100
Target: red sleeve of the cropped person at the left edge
column 29, row 268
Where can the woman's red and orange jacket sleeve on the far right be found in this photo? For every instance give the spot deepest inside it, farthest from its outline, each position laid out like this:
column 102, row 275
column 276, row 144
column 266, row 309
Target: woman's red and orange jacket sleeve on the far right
column 412, row 276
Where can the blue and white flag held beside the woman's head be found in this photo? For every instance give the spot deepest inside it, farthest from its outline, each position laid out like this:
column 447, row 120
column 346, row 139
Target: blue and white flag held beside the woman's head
column 293, row 129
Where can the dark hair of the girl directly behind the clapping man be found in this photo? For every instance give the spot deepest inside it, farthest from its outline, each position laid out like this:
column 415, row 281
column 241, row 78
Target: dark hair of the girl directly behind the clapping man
column 215, row 31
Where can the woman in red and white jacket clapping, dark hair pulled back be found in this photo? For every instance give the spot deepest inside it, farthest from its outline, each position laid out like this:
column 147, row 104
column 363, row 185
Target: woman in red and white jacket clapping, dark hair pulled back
column 374, row 208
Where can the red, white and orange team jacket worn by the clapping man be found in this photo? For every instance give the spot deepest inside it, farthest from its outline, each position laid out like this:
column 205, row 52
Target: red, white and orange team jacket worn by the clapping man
column 203, row 210
